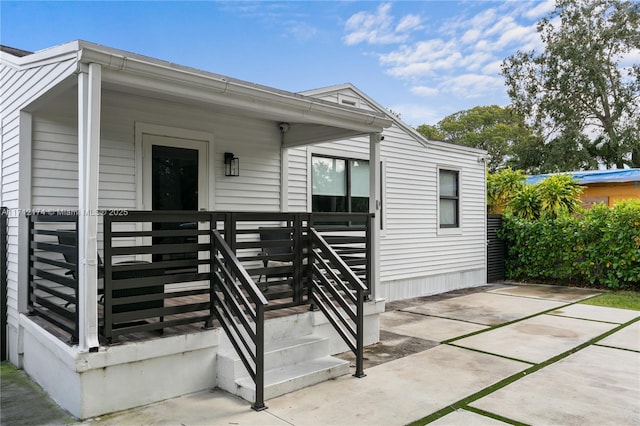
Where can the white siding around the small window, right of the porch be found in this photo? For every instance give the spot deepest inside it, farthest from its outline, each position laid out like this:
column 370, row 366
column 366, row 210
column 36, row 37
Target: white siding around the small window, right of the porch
column 416, row 257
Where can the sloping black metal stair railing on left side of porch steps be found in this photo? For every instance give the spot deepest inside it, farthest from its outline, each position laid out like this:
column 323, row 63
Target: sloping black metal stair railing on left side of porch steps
column 239, row 306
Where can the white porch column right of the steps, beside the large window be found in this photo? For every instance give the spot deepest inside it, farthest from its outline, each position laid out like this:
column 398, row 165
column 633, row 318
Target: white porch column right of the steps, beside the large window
column 375, row 205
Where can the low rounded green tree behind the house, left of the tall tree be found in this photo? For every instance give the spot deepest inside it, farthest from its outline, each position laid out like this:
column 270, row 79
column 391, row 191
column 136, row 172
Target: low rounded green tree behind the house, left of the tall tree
column 492, row 128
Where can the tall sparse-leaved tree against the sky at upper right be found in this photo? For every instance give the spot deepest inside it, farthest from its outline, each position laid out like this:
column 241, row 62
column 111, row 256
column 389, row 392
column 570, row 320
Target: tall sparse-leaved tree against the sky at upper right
column 579, row 93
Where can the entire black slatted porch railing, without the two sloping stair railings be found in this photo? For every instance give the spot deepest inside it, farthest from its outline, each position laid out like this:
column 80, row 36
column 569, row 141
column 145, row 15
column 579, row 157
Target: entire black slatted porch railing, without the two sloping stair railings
column 155, row 269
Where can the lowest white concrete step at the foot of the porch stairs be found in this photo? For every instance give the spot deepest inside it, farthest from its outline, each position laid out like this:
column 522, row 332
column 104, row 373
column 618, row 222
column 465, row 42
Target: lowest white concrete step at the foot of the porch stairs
column 290, row 378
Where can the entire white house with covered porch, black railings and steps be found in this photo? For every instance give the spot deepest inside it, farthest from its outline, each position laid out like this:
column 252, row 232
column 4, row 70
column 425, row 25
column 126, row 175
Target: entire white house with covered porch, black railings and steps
column 146, row 200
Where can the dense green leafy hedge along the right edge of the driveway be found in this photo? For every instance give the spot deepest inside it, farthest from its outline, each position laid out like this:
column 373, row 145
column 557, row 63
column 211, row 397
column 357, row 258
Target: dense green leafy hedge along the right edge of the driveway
column 598, row 247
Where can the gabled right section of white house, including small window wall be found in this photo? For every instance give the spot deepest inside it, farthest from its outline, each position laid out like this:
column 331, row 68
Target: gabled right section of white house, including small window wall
column 433, row 206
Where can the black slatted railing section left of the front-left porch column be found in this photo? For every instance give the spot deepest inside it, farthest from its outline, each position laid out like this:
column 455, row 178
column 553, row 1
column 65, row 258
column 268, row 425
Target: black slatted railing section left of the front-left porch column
column 53, row 271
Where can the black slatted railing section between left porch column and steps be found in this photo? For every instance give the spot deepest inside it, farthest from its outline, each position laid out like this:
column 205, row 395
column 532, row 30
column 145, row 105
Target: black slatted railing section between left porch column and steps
column 156, row 271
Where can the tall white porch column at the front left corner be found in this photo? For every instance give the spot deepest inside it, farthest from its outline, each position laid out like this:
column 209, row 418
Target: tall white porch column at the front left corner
column 89, row 88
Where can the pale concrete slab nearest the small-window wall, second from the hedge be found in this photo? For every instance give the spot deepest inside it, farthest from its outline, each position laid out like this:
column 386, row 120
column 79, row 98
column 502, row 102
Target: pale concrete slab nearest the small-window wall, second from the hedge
column 485, row 308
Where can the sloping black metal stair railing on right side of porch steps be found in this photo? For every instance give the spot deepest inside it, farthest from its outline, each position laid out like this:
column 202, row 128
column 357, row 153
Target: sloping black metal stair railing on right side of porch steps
column 338, row 292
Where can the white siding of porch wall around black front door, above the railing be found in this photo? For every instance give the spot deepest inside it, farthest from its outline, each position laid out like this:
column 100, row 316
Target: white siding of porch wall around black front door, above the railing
column 55, row 171
